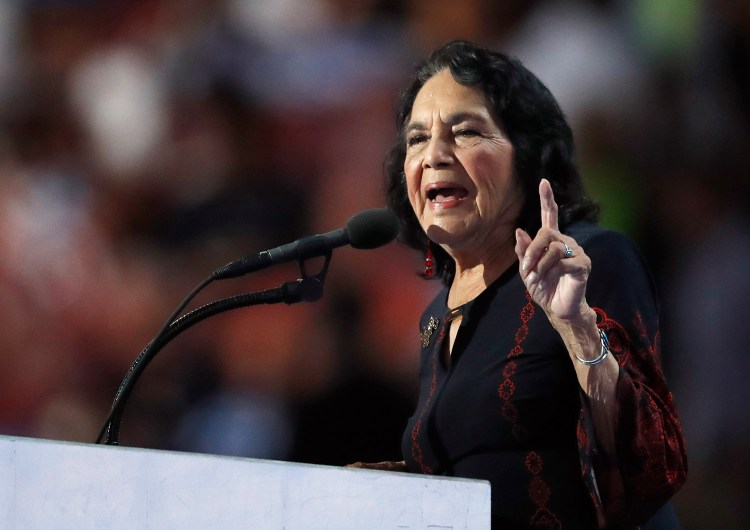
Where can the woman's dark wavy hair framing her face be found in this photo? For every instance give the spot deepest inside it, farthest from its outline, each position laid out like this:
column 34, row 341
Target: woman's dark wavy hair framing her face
column 529, row 115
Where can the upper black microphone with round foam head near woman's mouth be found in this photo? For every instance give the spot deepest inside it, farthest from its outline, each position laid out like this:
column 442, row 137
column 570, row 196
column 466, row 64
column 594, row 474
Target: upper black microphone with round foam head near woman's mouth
column 368, row 229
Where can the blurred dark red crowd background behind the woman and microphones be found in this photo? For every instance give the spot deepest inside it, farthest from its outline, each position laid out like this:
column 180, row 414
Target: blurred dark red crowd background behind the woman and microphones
column 144, row 143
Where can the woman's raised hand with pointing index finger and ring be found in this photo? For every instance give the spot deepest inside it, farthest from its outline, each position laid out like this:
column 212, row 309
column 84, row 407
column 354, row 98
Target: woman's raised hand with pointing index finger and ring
column 553, row 266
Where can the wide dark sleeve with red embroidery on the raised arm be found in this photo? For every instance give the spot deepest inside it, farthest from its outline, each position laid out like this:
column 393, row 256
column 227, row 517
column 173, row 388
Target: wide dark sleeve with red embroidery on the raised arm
column 649, row 464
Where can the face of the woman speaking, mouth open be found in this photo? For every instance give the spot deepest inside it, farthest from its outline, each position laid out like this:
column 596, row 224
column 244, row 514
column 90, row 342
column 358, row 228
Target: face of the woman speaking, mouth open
column 459, row 168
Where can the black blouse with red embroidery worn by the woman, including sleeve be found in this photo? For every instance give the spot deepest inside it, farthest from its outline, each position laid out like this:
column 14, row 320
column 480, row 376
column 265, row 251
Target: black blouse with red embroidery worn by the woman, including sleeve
column 506, row 405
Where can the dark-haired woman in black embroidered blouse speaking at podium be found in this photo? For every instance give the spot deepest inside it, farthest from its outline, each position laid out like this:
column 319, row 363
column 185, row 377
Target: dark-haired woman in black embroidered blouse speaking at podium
column 540, row 358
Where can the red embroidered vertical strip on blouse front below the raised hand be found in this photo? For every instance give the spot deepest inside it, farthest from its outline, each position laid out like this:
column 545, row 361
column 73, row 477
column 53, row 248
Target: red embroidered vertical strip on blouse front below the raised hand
column 539, row 490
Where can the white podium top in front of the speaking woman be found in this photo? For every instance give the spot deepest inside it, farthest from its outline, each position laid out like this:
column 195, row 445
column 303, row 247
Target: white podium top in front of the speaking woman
column 62, row 485
